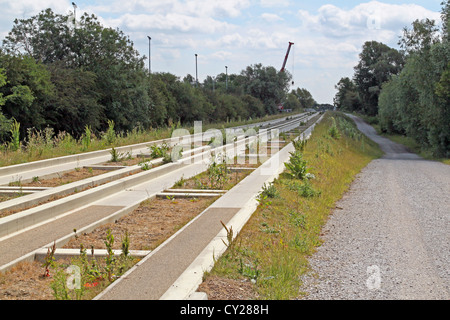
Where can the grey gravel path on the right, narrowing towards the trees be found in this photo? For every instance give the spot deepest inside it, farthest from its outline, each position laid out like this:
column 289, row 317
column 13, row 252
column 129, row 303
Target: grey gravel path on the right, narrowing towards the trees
column 389, row 238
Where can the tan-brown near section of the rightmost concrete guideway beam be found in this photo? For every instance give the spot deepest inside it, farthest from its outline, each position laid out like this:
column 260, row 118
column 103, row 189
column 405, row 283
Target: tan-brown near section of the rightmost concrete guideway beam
column 151, row 277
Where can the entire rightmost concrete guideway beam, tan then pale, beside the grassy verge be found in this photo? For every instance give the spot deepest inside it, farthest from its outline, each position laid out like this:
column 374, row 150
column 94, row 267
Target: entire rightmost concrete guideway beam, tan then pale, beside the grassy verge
column 174, row 270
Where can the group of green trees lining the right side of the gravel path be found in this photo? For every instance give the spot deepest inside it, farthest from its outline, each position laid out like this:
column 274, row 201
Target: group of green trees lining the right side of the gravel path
column 407, row 90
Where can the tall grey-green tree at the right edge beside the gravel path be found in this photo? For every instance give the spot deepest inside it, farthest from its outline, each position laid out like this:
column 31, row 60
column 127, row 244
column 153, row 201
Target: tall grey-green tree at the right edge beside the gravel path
column 416, row 102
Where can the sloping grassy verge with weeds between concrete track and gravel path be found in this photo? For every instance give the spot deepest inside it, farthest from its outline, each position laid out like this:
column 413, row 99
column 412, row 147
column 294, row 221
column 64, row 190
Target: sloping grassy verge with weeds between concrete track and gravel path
column 271, row 252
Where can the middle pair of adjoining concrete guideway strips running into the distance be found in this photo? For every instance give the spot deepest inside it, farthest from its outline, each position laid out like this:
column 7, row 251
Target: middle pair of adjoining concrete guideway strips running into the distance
column 24, row 233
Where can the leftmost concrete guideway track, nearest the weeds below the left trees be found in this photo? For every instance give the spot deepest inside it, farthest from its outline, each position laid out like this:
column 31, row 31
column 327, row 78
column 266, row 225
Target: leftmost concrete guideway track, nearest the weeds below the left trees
column 50, row 167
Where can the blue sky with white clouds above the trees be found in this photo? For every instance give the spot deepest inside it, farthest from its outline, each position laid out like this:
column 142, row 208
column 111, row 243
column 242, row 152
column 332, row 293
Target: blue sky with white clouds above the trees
column 327, row 35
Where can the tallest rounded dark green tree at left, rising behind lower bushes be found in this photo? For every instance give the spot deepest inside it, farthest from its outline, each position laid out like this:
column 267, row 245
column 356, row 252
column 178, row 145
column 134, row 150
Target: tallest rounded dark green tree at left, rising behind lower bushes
column 106, row 52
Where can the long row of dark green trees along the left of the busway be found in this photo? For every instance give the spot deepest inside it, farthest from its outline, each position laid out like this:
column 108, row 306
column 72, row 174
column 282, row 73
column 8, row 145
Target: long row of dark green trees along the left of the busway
column 68, row 75
